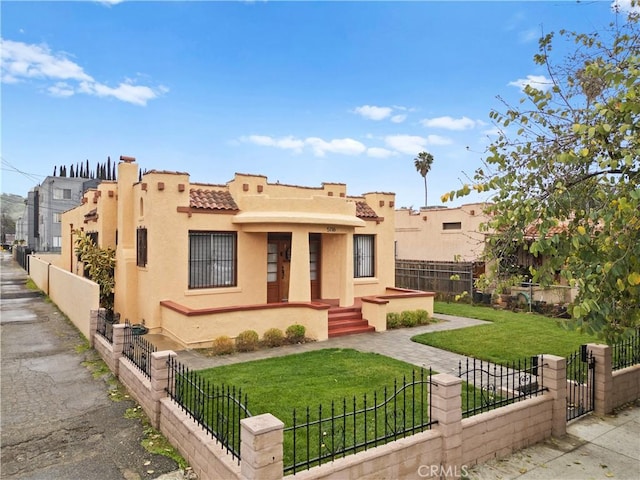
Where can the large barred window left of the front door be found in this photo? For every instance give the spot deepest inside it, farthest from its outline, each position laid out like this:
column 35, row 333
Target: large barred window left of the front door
column 212, row 259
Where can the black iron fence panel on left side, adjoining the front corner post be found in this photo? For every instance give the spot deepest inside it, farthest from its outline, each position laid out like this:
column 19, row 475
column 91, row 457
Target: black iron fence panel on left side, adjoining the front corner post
column 217, row 408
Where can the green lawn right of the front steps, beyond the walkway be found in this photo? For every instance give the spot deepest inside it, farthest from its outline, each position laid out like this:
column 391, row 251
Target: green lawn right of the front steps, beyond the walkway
column 510, row 336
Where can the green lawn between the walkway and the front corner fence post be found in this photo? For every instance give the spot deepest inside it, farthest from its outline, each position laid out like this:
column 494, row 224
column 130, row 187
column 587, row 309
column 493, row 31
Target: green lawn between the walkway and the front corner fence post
column 280, row 385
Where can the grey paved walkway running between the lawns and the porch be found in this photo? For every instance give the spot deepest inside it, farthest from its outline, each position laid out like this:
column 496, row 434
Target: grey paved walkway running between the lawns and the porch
column 392, row 343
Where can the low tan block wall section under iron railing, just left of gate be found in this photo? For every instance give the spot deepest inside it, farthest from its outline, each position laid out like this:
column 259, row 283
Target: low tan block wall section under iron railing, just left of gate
column 500, row 432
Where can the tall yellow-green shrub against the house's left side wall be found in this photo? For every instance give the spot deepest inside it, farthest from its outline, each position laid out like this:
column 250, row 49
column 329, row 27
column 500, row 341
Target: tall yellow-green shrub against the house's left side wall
column 99, row 264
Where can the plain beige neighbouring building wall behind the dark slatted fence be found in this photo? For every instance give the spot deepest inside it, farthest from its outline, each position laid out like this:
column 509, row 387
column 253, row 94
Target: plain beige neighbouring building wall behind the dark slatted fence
column 420, row 235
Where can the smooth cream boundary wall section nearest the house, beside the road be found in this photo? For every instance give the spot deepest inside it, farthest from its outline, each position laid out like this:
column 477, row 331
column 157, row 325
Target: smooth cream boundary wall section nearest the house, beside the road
column 75, row 296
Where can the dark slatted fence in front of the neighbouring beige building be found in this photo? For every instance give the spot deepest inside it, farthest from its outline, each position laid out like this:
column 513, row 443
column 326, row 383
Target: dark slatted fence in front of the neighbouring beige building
column 445, row 278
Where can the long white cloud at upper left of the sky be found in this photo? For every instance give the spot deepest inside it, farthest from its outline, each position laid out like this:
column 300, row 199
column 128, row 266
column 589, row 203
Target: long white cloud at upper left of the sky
column 24, row 62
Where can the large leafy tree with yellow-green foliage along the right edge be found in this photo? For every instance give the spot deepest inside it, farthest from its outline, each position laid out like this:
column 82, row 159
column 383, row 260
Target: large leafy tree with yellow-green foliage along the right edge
column 564, row 175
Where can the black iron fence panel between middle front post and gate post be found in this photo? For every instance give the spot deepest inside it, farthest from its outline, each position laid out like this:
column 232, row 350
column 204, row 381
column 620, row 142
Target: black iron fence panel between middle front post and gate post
column 489, row 385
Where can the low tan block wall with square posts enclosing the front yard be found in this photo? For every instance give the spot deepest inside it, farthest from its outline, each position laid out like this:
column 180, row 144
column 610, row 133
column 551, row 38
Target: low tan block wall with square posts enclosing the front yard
column 452, row 445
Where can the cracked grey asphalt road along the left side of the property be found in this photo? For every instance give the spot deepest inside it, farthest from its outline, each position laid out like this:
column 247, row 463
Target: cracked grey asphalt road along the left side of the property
column 57, row 420
